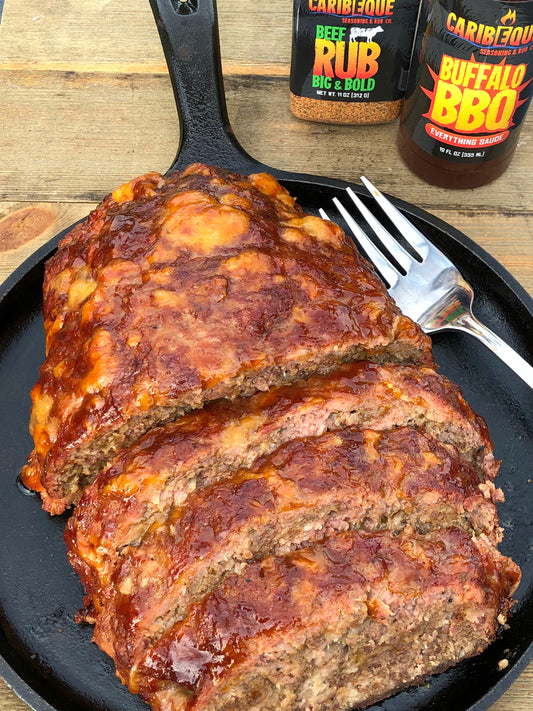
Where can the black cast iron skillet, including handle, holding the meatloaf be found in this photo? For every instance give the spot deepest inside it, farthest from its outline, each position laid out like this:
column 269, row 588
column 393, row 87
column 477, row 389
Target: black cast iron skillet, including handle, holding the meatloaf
column 45, row 656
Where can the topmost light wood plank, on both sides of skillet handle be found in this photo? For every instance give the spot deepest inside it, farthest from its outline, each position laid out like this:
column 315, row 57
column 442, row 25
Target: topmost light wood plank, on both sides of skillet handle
column 116, row 32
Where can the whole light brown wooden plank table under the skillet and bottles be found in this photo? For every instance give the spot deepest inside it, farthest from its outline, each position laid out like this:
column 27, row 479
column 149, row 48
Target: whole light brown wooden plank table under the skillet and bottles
column 86, row 104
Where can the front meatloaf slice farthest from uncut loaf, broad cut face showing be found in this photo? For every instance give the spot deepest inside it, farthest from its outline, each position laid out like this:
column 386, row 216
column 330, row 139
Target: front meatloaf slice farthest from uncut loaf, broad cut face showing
column 337, row 626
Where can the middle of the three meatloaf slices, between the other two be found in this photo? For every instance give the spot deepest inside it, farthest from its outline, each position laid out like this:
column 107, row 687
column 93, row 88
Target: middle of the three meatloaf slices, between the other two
column 349, row 479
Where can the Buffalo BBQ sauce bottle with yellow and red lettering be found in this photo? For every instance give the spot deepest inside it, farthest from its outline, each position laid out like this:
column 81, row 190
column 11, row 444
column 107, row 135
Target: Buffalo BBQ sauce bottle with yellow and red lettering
column 468, row 90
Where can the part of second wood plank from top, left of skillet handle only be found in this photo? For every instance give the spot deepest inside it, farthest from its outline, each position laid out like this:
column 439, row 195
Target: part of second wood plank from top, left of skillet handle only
column 98, row 130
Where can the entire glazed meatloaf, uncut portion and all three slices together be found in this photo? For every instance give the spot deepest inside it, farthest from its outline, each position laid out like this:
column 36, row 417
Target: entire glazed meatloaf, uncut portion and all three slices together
column 279, row 504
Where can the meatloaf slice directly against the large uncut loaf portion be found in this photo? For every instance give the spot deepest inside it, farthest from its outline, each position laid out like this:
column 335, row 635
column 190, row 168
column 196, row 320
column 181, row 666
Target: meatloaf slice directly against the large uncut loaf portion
column 158, row 472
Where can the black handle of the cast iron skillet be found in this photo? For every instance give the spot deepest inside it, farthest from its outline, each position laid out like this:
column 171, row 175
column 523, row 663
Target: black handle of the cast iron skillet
column 189, row 34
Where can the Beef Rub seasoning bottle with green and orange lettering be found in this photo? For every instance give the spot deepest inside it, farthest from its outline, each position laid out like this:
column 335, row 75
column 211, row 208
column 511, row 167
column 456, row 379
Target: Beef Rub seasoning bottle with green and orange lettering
column 350, row 59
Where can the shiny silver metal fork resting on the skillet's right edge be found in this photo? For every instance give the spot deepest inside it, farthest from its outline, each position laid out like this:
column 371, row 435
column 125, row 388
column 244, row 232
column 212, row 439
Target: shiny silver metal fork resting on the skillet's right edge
column 429, row 289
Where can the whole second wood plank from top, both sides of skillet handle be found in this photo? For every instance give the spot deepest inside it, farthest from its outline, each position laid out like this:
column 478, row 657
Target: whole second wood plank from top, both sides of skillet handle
column 102, row 129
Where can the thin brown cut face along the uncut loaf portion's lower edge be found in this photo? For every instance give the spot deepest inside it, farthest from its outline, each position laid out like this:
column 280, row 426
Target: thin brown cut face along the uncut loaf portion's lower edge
column 65, row 487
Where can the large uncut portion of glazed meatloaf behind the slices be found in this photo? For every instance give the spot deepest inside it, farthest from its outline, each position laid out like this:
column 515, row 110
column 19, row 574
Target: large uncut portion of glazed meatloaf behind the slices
column 182, row 289
